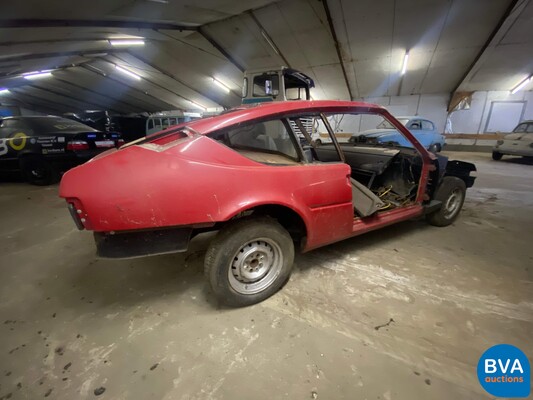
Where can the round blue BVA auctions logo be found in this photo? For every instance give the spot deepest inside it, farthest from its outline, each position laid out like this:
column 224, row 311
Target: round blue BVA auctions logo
column 504, row 371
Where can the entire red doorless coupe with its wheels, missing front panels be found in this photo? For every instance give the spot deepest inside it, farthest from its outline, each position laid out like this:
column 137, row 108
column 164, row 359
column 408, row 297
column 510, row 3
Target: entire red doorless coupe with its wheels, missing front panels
column 254, row 175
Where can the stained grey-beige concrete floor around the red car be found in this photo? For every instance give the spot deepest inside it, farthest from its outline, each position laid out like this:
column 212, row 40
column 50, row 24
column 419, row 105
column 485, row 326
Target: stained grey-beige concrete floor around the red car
column 149, row 328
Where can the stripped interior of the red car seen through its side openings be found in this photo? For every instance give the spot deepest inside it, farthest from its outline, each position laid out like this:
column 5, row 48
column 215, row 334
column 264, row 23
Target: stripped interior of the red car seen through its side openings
column 382, row 178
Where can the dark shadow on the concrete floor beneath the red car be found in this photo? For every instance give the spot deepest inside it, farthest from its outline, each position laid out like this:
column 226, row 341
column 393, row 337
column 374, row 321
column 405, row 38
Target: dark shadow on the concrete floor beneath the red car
column 104, row 282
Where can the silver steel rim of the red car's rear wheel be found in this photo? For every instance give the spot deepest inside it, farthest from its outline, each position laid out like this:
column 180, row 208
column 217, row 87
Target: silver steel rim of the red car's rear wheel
column 255, row 266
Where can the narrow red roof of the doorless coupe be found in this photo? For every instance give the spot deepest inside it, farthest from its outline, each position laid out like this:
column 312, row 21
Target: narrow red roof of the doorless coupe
column 246, row 113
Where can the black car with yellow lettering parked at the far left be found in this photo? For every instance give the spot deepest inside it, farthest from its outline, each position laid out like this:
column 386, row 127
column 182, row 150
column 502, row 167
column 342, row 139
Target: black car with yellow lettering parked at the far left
column 43, row 147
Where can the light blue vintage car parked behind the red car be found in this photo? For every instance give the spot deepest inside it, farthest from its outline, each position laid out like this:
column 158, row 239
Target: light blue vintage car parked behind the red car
column 423, row 129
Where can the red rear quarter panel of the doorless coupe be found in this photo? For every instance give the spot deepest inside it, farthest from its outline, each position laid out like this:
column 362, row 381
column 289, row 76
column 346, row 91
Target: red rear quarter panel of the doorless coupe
column 201, row 181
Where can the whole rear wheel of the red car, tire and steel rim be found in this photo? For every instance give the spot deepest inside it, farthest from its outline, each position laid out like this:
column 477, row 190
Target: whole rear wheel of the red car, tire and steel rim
column 237, row 253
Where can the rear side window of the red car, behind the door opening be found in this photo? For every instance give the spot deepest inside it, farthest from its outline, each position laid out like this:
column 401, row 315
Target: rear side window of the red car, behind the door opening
column 269, row 137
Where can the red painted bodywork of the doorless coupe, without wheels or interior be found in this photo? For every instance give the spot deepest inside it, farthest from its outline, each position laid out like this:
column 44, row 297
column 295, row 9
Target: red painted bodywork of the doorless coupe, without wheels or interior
column 182, row 178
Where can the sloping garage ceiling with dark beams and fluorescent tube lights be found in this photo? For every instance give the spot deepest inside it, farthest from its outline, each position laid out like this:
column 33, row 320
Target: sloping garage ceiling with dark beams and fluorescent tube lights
column 351, row 49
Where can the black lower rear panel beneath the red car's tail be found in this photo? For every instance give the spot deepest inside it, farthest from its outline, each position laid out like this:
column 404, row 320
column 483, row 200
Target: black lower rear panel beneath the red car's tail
column 142, row 243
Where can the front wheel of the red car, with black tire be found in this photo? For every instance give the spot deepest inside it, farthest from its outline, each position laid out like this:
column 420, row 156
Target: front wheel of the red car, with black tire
column 451, row 192
